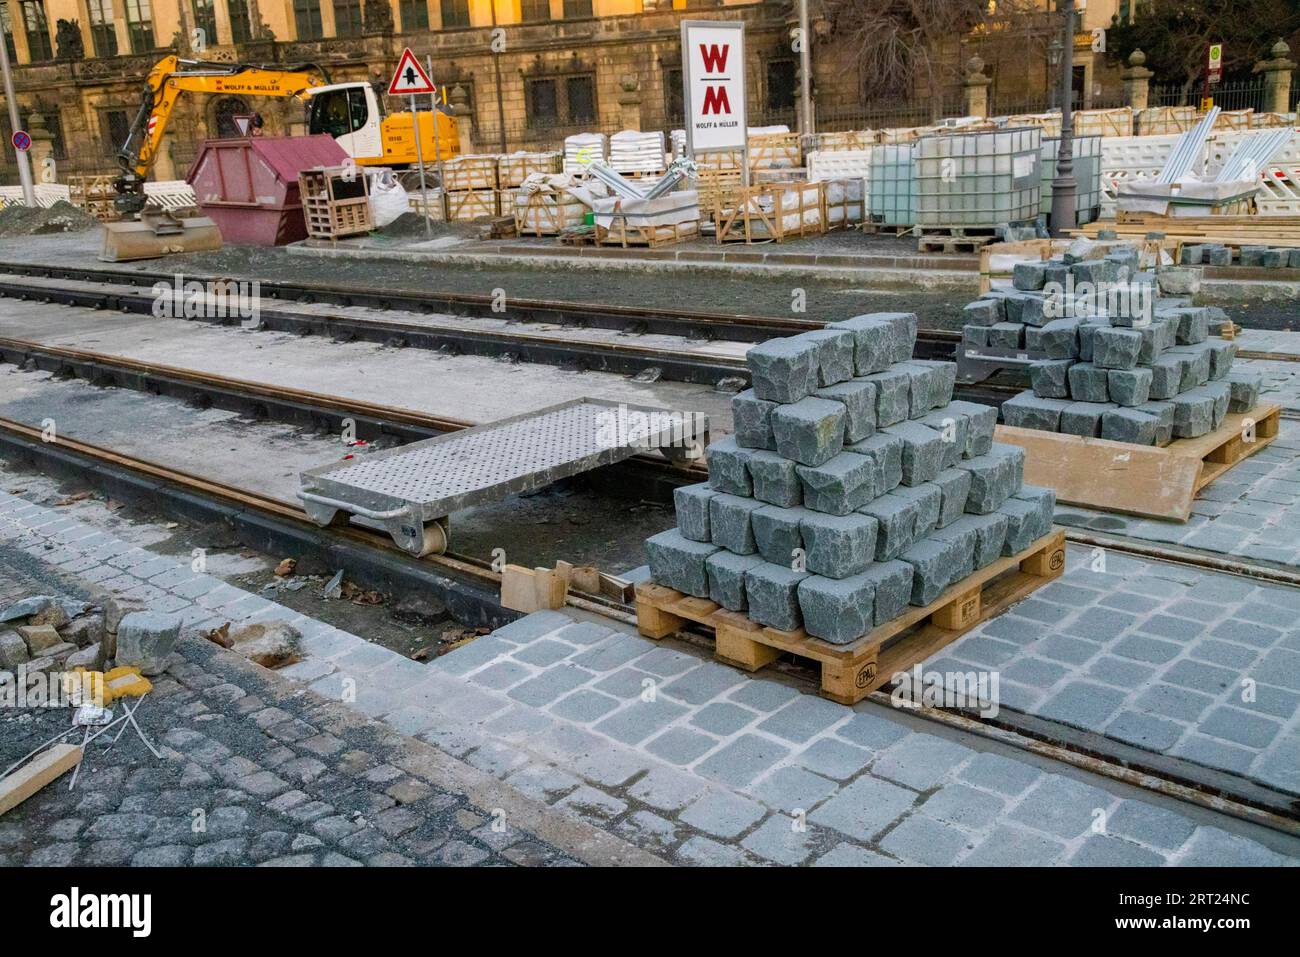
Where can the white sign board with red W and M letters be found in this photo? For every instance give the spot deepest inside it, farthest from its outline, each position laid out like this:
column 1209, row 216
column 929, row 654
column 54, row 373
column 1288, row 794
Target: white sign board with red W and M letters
column 713, row 76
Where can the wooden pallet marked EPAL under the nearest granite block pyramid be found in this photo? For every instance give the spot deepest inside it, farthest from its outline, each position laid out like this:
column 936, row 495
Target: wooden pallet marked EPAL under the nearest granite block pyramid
column 851, row 673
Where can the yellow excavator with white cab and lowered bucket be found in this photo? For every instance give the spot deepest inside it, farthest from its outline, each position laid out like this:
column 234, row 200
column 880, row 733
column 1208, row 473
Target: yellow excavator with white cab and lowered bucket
column 353, row 114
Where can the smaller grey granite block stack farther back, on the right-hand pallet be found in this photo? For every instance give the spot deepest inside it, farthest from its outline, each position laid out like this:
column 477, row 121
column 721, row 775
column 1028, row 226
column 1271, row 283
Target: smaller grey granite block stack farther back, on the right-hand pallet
column 1145, row 379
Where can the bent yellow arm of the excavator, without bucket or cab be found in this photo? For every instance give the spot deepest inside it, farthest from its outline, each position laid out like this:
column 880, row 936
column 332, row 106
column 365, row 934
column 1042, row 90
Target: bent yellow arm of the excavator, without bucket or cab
column 167, row 81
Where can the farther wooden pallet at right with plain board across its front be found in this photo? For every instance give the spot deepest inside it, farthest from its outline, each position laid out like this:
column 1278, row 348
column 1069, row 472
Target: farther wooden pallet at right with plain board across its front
column 1138, row 479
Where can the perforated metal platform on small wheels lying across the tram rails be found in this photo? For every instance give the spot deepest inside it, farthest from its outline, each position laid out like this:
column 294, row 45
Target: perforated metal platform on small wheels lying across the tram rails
column 426, row 482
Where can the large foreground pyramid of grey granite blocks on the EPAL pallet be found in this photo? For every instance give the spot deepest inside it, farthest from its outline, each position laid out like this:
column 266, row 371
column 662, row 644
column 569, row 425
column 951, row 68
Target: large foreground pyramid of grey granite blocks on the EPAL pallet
column 852, row 488
